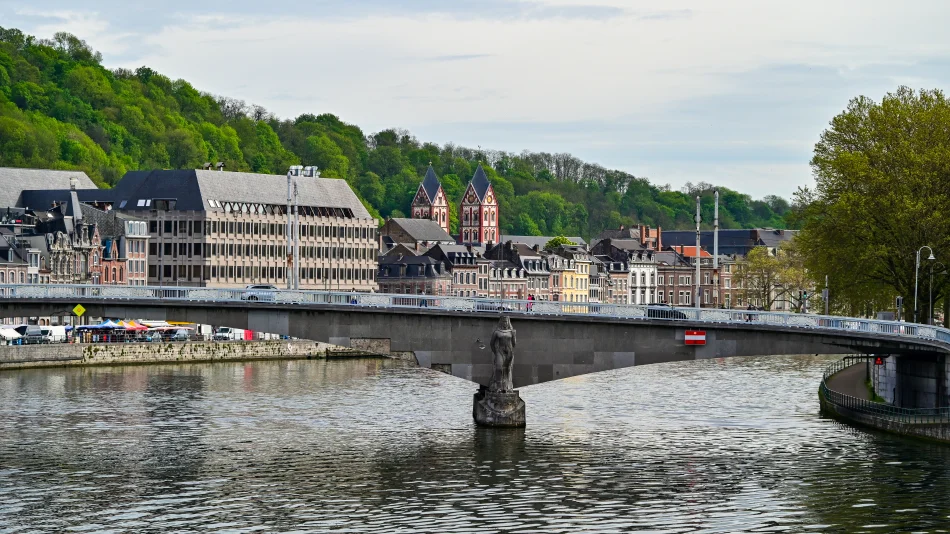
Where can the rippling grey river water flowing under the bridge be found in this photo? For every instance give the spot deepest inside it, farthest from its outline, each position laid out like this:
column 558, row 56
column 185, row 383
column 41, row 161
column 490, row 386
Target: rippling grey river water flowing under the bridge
column 733, row 445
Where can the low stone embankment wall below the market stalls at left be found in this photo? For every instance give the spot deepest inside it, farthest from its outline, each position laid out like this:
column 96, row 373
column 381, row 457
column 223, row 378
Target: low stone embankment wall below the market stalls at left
column 59, row 355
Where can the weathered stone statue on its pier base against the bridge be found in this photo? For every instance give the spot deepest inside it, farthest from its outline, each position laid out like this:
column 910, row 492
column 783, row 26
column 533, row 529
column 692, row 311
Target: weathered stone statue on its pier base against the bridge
column 499, row 404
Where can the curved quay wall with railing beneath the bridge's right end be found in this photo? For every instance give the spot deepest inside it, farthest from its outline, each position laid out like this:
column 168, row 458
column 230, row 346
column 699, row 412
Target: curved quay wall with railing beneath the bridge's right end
column 930, row 424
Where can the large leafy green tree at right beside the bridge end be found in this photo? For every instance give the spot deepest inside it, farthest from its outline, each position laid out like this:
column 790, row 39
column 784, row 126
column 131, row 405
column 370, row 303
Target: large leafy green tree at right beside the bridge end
column 882, row 173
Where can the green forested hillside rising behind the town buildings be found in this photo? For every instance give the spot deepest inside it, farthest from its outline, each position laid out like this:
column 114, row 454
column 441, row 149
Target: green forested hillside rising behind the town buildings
column 61, row 109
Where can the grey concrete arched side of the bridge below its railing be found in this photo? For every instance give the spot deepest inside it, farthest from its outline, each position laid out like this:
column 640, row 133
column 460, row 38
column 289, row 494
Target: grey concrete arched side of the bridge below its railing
column 548, row 347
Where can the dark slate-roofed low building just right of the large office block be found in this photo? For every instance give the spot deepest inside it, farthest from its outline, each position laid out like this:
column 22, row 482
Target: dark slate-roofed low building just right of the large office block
column 414, row 275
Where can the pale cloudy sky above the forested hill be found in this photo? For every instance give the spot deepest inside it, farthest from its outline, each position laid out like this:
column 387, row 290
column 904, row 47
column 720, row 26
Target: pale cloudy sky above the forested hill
column 731, row 92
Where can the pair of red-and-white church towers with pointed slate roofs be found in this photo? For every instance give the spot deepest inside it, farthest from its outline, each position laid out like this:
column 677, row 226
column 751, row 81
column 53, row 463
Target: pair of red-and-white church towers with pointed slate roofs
column 478, row 212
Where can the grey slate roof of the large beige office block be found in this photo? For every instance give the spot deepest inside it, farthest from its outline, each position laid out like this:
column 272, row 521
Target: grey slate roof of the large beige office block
column 193, row 188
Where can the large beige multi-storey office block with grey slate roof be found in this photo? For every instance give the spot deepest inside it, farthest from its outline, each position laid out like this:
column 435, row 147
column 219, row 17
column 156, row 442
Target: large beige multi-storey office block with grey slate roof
column 229, row 229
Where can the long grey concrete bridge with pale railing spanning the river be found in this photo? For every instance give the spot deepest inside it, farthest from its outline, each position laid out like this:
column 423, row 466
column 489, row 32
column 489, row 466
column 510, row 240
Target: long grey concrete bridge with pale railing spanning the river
column 555, row 339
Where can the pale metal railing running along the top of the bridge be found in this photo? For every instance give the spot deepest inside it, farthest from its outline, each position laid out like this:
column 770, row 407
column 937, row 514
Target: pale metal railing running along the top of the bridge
column 77, row 293
